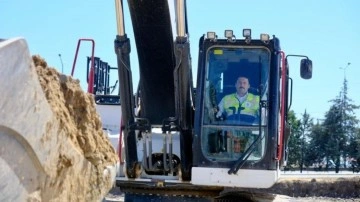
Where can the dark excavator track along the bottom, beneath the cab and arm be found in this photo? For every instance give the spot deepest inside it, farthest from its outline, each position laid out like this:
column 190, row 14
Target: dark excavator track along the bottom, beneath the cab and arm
column 187, row 192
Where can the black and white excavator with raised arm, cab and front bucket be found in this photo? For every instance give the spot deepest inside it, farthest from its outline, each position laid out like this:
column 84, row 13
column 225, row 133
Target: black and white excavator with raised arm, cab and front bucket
column 173, row 140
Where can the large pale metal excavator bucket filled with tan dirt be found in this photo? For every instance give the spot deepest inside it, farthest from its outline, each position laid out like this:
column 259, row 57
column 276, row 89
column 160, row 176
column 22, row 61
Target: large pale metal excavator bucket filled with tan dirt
column 39, row 159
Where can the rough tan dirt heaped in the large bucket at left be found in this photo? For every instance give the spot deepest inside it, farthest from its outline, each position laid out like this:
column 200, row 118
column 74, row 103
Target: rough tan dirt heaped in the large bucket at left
column 69, row 177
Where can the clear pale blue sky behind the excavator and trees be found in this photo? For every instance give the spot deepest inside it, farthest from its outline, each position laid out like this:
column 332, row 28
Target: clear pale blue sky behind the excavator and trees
column 328, row 32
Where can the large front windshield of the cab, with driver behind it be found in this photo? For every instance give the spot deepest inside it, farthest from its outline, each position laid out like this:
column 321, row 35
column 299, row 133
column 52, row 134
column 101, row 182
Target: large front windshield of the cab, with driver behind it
column 234, row 112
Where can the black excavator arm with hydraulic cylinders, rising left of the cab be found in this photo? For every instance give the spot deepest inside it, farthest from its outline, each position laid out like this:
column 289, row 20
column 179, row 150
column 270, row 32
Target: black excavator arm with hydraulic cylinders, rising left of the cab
column 165, row 86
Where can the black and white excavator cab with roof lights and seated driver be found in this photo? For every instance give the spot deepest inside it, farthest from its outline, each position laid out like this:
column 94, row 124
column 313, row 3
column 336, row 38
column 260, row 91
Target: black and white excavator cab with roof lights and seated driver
column 237, row 138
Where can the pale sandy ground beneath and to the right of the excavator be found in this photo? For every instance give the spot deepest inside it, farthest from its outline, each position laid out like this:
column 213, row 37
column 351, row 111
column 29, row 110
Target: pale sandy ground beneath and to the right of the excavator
column 301, row 189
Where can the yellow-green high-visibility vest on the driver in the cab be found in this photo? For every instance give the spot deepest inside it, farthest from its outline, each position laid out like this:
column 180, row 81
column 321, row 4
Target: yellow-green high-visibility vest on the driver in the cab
column 250, row 104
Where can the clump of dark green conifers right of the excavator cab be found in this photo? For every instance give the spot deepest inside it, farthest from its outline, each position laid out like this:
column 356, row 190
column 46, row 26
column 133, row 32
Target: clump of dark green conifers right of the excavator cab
column 336, row 137
